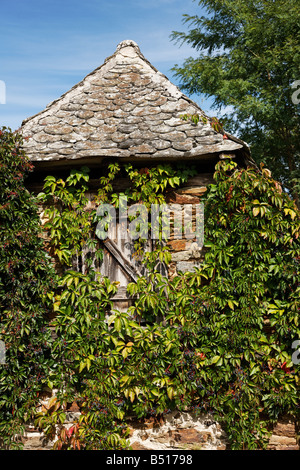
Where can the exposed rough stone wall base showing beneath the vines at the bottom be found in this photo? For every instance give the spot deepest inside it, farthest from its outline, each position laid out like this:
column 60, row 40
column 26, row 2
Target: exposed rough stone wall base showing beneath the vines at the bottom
column 175, row 431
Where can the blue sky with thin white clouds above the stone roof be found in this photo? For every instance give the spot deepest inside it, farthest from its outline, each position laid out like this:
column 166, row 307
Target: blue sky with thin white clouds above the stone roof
column 49, row 46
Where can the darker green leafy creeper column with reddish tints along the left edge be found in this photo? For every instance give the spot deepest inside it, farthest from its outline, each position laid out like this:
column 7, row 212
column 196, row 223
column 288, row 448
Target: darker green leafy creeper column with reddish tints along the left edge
column 25, row 276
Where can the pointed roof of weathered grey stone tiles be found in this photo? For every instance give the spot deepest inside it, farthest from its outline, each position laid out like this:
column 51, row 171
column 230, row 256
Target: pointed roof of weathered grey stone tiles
column 127, row 109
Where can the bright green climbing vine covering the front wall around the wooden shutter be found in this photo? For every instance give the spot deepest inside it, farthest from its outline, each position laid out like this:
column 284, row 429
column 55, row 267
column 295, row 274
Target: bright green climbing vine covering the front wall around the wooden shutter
column 224, row 344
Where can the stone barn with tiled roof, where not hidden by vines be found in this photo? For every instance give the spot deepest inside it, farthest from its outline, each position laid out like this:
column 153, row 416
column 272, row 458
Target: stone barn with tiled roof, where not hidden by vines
column 128, row 111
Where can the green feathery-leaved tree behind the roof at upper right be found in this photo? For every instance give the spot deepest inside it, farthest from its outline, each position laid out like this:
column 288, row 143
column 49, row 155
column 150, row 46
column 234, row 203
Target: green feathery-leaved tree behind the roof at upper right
column 249, row 62
